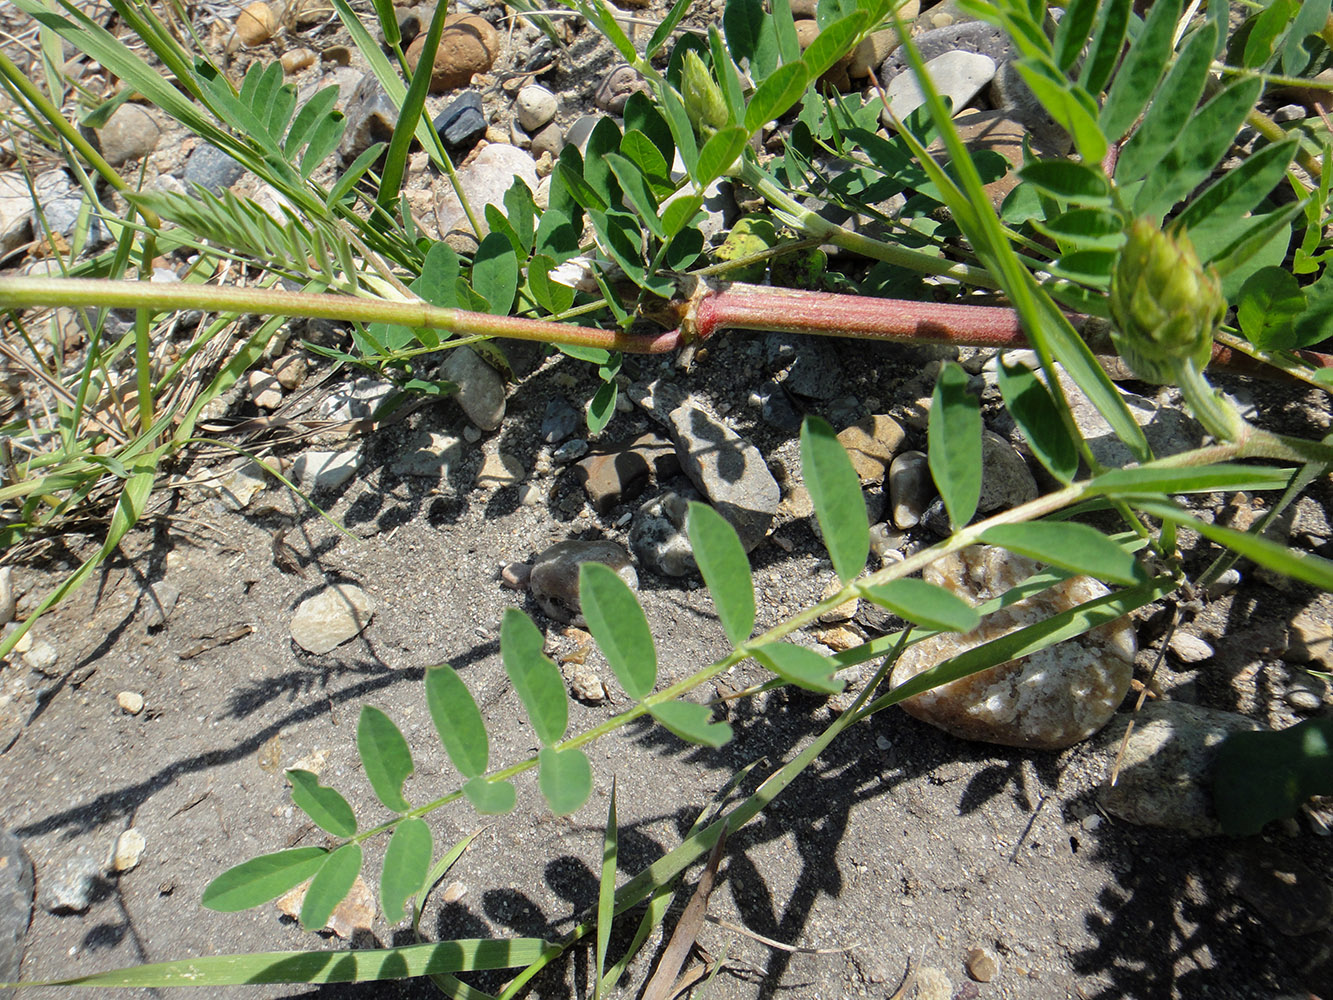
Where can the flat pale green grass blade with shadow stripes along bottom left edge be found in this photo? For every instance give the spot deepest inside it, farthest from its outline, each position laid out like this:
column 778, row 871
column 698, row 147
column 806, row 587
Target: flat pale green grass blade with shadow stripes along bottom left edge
column 367, row 966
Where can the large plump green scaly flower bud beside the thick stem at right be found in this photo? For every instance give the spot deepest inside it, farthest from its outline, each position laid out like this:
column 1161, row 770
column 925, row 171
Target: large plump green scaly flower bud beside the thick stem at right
column 1164, row 305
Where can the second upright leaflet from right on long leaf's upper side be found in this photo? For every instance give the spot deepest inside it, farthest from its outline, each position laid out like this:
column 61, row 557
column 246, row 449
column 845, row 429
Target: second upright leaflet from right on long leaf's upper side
column 836, row 491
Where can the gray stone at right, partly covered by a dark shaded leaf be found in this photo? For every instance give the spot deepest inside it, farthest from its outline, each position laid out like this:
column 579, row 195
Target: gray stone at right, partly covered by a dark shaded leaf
column 1166, row 774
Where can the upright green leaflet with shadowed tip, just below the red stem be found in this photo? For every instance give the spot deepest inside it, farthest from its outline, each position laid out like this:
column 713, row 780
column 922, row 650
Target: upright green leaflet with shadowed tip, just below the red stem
column 955, row 445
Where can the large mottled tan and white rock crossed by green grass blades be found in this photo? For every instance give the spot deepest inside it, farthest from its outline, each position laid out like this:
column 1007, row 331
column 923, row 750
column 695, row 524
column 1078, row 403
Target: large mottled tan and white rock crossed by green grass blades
column 1048, row 701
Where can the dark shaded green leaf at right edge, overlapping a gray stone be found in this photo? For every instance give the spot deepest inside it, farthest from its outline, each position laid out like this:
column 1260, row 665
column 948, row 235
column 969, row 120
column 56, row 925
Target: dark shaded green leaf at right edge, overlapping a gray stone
column 1264, row 777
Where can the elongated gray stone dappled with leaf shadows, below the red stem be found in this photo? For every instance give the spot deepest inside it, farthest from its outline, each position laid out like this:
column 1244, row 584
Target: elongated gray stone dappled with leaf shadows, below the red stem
column 728, row 470
